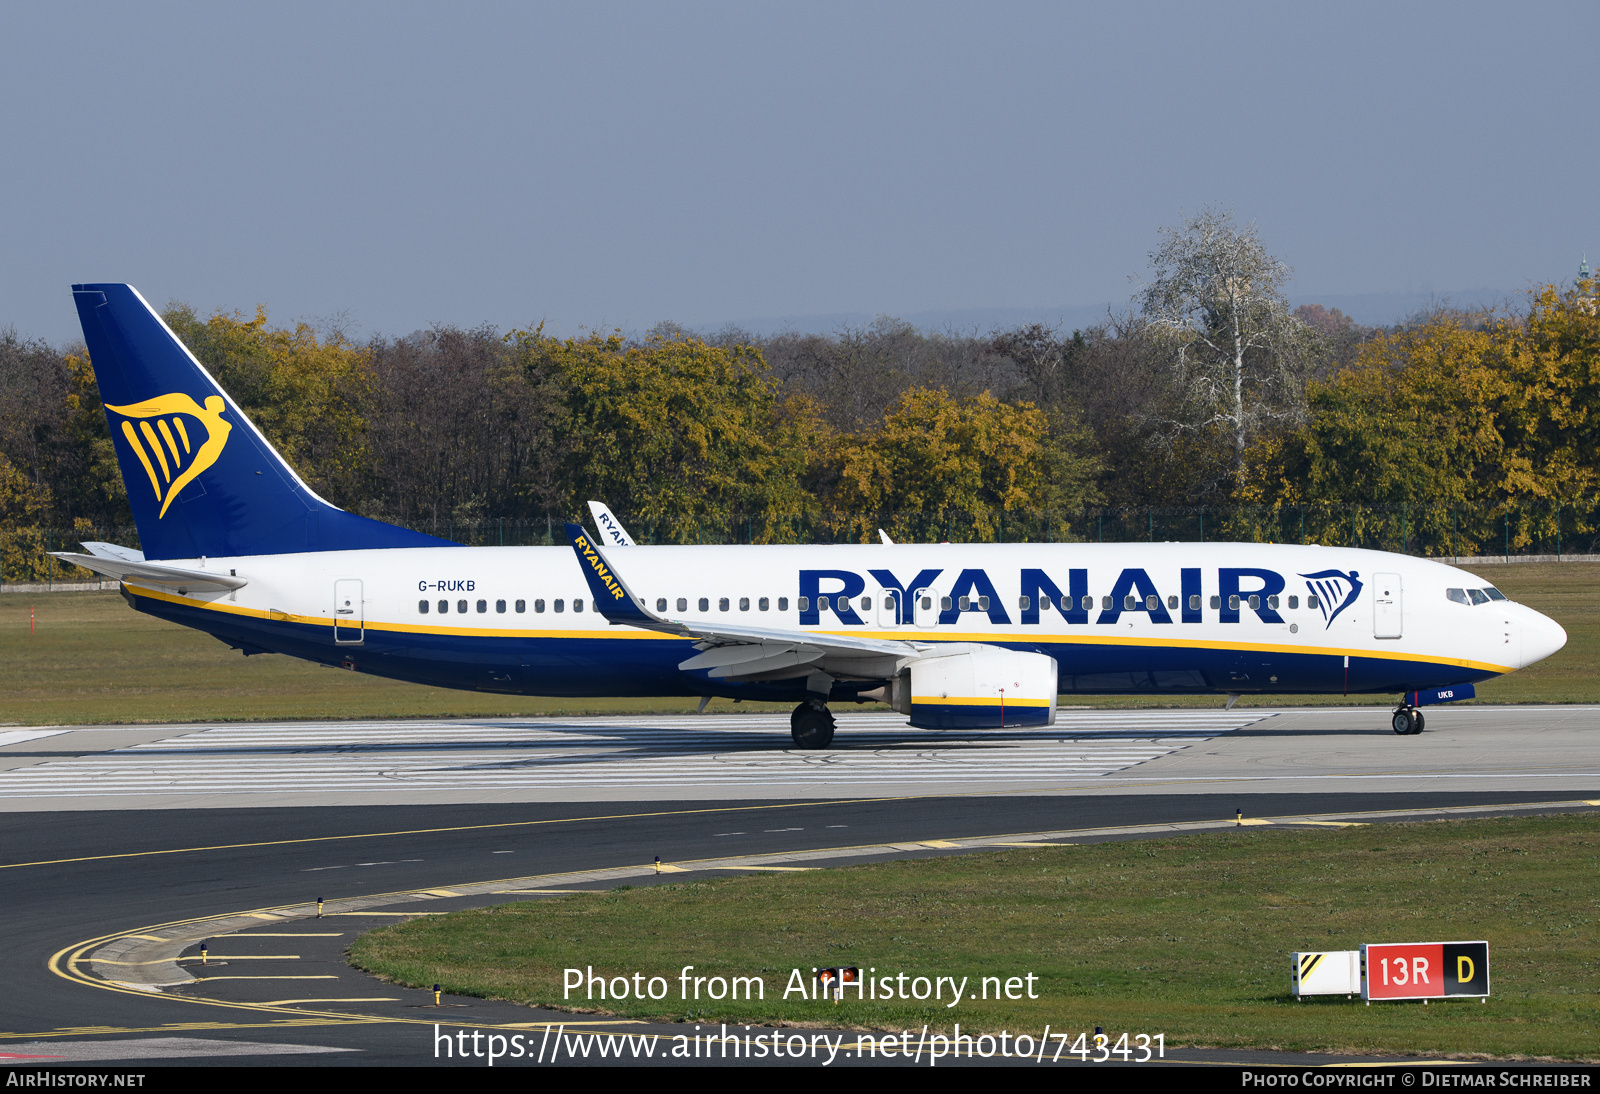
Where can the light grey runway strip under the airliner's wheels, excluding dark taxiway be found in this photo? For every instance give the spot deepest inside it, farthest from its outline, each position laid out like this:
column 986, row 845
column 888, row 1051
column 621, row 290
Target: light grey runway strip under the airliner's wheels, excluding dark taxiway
column 730, row 757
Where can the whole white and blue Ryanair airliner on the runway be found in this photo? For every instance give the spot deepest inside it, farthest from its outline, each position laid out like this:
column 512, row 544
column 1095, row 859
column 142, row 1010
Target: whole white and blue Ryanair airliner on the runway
column 954, row 636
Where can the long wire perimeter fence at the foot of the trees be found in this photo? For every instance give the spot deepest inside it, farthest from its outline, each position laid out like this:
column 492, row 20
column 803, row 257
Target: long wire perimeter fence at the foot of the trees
column 1434, row 532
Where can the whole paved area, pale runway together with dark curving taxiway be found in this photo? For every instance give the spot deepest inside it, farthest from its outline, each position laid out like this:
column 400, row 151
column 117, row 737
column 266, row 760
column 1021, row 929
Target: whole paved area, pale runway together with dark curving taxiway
column 121, row 844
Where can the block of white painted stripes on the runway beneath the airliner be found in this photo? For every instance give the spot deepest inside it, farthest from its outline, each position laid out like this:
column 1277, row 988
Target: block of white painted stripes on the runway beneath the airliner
column 614, row 754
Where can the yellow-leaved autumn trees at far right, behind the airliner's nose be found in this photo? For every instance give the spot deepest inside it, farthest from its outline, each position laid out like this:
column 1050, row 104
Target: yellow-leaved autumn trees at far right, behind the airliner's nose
column 1470, row 423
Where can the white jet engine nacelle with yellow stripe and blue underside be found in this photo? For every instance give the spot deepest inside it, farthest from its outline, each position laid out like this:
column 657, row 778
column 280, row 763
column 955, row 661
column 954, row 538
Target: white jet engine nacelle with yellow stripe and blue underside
column 975, row 687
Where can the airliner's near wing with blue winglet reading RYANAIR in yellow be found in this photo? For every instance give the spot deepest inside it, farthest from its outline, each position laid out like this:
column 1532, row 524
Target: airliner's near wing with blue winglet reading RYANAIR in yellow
column 730, row 652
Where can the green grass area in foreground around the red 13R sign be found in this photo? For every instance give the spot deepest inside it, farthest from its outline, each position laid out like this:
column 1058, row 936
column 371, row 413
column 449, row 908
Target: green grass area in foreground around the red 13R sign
column 1186, row 936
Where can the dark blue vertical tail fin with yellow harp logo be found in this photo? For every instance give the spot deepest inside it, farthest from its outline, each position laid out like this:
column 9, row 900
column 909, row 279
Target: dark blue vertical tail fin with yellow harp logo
column 201, row 477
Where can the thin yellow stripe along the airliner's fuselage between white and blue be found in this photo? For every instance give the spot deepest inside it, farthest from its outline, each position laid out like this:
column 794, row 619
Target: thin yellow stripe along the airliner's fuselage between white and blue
column 889, row 636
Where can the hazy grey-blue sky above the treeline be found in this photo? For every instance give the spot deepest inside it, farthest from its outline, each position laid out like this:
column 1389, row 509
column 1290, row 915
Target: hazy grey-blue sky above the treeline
column 622, row 164
